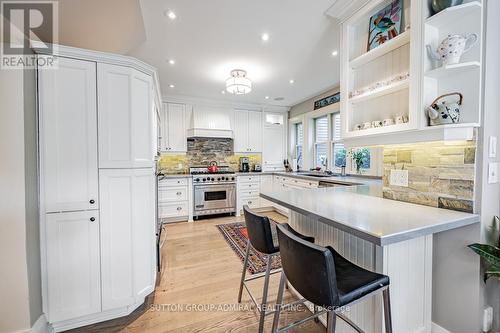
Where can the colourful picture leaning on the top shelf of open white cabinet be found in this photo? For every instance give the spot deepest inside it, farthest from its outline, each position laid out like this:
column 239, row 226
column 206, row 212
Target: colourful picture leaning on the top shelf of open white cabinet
column 385, row 25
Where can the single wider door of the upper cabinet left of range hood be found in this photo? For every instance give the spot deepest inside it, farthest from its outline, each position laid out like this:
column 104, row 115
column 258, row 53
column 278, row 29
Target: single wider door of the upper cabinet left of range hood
column 177, row 141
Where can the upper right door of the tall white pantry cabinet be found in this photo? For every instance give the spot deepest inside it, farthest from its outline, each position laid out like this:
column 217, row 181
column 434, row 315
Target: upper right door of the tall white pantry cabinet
column 125, row 117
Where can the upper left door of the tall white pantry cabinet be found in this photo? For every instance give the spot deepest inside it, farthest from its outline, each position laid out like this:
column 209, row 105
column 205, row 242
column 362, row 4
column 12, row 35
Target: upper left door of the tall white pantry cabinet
column 68, row 135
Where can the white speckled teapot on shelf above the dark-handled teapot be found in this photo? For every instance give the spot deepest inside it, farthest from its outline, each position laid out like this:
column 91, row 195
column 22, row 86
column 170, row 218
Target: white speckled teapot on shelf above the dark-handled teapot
column 452, row 47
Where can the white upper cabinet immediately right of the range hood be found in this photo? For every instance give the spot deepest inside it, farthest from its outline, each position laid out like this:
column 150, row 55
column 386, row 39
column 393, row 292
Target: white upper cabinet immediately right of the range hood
column 247, row 131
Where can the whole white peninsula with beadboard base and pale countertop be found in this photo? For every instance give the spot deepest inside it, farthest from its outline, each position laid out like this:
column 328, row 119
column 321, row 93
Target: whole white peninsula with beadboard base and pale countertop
column 392, row 237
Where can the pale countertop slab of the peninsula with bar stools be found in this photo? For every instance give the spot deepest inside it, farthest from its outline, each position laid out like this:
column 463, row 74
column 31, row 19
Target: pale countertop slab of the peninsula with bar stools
column 375, row 219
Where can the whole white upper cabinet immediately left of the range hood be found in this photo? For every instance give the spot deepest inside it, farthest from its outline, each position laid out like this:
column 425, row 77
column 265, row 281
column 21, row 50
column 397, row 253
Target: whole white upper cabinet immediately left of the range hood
column 174, row 127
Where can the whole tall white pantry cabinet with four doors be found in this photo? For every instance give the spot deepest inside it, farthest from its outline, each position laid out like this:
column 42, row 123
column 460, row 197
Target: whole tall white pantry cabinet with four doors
column 97, row 186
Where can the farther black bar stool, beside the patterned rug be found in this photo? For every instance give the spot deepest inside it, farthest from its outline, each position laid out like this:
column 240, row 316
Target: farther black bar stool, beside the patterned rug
column 263, row 238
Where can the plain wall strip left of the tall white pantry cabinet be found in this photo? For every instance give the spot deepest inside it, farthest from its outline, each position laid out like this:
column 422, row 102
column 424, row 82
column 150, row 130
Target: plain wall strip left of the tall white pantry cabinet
column 20, row 290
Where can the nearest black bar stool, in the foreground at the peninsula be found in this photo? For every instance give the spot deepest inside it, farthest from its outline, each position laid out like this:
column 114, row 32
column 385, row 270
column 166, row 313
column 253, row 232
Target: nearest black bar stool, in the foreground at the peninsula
column 326, row 279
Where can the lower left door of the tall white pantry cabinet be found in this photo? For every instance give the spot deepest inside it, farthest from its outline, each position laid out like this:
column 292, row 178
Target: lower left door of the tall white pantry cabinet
column 73, row 268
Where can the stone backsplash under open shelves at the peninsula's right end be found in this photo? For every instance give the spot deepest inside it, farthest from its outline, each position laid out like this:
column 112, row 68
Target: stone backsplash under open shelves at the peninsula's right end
column 439, row 174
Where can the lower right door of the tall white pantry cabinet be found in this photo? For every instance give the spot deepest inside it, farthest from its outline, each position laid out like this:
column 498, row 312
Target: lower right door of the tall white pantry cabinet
column 127, row 235
